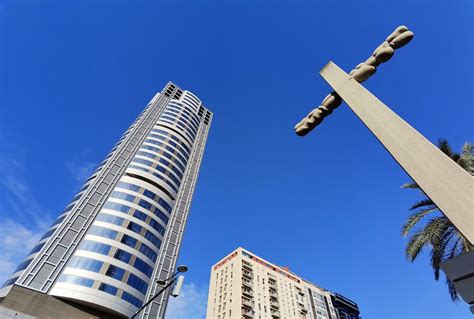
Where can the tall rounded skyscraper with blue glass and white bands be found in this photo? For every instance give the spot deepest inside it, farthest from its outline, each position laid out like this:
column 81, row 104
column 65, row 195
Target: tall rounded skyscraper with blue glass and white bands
column 122, row 232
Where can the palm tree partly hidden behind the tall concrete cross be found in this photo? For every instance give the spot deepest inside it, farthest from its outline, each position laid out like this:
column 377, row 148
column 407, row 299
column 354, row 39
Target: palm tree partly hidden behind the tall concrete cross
column 438, row 233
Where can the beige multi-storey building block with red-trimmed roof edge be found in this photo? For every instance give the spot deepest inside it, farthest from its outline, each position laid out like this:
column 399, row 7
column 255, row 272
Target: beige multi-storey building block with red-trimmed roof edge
column 243, row 285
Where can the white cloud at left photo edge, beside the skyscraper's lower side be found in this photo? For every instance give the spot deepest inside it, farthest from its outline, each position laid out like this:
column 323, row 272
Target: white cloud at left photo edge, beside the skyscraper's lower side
column 15, row 242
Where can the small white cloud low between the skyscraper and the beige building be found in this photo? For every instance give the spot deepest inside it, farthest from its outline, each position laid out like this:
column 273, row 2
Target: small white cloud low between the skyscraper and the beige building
column 190, row 304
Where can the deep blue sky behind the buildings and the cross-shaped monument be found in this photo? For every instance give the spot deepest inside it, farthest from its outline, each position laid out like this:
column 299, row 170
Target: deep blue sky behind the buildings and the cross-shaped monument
column 74, row 75
